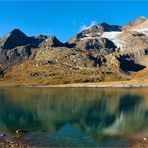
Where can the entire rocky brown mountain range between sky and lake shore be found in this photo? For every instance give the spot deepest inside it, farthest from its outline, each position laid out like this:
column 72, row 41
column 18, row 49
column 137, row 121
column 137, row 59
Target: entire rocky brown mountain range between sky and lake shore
column 102, row 52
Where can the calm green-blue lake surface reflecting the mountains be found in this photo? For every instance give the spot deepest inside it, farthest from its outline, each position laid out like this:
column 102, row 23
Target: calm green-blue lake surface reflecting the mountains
column 74, row 116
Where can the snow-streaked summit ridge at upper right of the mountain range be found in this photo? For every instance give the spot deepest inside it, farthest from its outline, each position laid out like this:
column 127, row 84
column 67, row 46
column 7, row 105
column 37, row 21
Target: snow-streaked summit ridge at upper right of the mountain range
column 114, row 33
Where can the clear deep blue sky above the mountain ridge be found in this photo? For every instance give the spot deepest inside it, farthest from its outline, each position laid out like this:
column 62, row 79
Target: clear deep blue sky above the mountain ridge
column 65, row 18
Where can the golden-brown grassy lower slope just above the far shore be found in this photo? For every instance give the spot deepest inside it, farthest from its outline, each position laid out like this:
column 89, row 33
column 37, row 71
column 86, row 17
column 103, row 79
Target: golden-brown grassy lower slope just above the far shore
column 31, row 73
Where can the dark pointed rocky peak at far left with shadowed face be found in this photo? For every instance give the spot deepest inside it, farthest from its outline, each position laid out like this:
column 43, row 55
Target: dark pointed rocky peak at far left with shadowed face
column 16, row 46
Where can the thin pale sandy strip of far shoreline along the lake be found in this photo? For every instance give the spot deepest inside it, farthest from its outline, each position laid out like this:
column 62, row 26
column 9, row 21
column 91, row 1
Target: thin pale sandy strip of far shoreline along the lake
column 113, row 84
